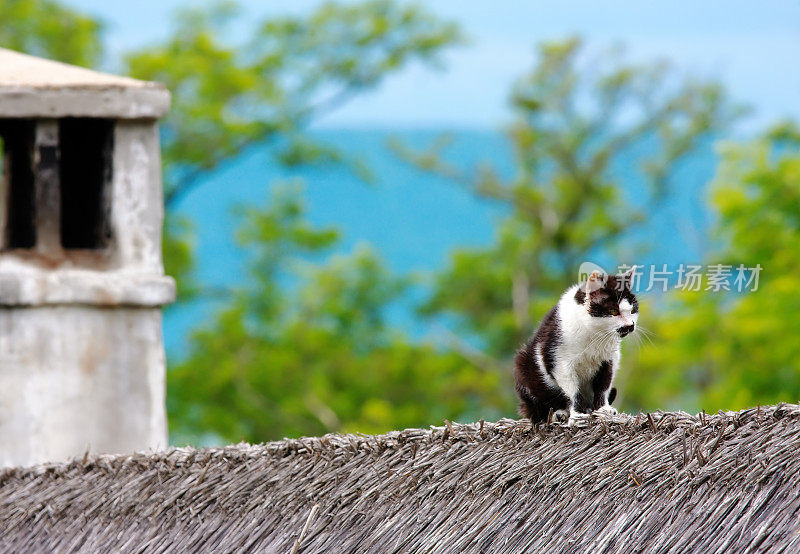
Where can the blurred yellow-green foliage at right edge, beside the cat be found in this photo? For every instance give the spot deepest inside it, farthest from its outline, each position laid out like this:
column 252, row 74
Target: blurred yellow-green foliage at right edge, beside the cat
column 734, row 350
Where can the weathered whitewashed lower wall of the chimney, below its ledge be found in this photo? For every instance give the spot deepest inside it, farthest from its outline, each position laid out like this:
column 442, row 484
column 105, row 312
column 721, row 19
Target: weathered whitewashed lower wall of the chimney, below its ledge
column 77, row 378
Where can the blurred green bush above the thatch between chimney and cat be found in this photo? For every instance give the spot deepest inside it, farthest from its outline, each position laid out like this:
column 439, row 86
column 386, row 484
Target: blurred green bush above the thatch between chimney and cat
column 306, row 347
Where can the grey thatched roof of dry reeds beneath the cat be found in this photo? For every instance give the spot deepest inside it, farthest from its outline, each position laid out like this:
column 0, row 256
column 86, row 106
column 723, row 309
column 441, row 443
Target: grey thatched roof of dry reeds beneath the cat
column 652, row 483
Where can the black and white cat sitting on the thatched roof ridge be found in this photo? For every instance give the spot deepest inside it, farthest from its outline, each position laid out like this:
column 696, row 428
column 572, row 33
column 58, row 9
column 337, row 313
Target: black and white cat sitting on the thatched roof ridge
column 570, row 362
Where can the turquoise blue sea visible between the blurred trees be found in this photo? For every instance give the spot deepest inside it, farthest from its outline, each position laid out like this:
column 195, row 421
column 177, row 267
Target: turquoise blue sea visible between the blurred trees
column 412, row 218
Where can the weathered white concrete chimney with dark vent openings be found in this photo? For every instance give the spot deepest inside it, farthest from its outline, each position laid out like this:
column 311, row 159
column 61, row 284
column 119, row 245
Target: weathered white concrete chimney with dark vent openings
column 81, row 276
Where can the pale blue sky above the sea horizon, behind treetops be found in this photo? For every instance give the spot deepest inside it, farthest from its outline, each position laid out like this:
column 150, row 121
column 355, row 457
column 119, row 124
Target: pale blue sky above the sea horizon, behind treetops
column 752, row 47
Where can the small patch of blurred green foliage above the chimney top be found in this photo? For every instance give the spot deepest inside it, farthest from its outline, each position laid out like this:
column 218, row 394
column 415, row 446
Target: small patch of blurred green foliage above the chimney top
column 50, row 30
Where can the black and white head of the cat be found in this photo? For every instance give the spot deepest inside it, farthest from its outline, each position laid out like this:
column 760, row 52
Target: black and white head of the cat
column 609, row 301
